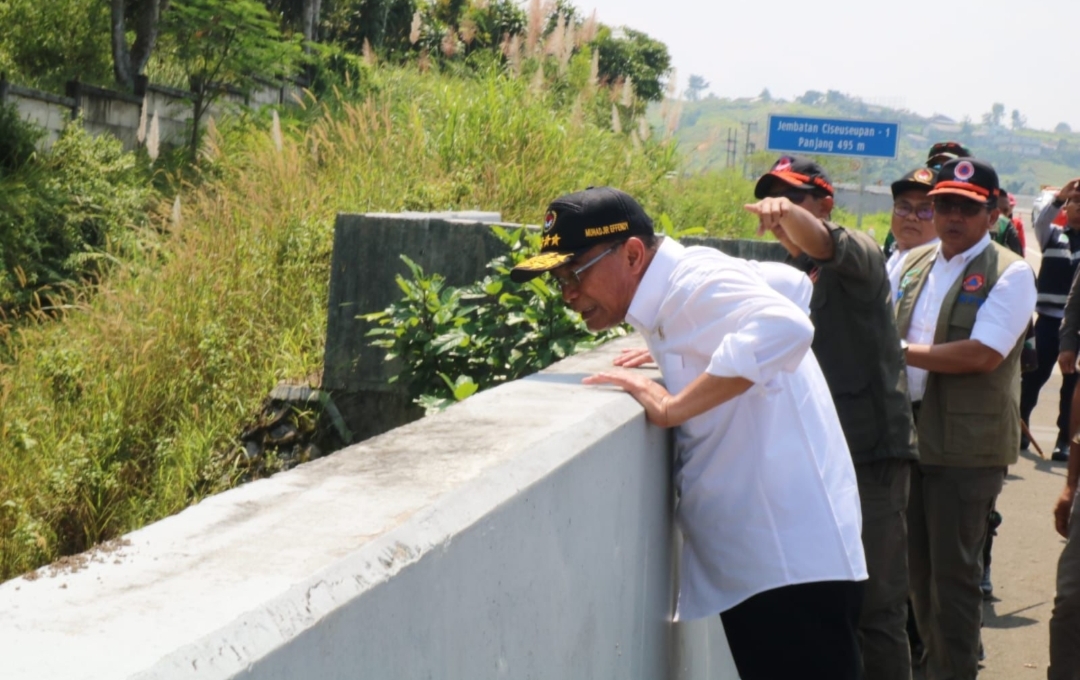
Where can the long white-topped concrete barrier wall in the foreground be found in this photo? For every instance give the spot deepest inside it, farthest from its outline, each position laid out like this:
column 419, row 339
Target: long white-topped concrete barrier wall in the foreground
column 523, row 534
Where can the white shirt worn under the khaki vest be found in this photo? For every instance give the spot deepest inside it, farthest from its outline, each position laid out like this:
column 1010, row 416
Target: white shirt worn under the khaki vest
column 1000, row 322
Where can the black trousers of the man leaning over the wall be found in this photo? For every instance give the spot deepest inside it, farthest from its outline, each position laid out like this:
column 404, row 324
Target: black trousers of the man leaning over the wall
column 806, row 632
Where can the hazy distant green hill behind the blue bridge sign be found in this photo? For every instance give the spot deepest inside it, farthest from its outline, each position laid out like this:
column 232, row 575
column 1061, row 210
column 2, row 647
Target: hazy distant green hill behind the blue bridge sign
column 1025, row 159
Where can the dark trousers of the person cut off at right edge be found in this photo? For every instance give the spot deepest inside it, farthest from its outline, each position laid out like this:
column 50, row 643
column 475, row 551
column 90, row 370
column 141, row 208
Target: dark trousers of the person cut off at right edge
column 1065, row 622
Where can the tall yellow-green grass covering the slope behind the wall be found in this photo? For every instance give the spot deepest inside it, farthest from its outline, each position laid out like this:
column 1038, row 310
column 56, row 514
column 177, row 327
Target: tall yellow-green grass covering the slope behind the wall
column 130, row 409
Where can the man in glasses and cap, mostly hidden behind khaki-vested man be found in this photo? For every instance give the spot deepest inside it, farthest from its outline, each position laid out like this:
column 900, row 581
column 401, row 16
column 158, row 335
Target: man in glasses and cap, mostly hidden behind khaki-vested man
column 913, row 219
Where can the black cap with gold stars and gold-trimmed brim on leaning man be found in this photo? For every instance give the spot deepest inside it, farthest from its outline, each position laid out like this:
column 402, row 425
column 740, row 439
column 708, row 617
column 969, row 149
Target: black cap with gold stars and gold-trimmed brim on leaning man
column 577, row 222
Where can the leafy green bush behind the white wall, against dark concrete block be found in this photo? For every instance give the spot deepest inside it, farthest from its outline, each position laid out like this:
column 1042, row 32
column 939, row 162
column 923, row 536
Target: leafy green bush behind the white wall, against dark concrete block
column 453, row 342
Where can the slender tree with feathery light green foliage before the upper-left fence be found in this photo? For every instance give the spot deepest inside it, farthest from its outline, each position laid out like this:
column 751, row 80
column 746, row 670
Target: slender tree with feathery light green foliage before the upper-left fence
column 224, row 44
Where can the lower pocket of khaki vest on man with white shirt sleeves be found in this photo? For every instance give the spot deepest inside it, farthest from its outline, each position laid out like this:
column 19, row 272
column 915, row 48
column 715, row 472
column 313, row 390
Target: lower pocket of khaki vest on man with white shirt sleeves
column 974, row 423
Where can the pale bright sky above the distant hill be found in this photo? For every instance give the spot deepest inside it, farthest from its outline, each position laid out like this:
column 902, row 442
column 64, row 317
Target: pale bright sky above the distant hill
column 955, row 59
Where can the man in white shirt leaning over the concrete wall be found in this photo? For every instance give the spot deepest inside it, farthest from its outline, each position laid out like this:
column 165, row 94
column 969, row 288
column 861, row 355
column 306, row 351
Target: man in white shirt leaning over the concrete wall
column 768, row 501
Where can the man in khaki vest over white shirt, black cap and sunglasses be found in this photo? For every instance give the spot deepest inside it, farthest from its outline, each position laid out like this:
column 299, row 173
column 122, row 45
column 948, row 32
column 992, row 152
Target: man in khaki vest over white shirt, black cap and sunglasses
column 963, row 307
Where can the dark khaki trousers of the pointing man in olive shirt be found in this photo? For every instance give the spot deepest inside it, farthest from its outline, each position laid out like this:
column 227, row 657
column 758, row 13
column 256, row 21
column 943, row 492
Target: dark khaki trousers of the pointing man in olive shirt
column 884, row 489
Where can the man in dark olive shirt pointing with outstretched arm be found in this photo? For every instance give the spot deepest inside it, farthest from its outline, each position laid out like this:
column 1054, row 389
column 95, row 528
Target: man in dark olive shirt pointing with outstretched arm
column 858, row 346
